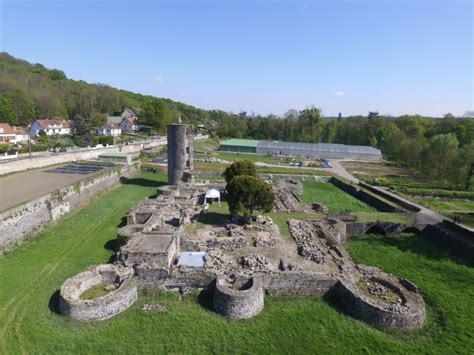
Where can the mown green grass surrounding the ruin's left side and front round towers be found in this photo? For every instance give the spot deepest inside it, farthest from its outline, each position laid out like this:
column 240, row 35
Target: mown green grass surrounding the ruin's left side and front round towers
column 31, row 275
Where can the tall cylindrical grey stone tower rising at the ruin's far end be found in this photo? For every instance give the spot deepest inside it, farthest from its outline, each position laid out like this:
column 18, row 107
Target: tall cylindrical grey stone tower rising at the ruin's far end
column 180, row 152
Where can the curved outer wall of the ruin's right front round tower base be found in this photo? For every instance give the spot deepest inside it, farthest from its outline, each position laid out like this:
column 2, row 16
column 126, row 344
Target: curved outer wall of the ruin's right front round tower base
column 408, row 315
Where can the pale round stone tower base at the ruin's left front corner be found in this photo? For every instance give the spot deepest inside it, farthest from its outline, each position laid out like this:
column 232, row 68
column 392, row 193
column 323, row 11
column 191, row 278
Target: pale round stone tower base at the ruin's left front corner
column 122, row 293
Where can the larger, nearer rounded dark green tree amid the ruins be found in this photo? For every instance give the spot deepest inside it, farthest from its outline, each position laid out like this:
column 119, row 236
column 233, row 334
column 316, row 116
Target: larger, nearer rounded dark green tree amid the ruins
column 246, row 194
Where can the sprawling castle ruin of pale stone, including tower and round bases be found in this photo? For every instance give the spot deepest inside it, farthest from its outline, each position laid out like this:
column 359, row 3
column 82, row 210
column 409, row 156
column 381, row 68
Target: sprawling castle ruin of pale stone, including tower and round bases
column 162, row 248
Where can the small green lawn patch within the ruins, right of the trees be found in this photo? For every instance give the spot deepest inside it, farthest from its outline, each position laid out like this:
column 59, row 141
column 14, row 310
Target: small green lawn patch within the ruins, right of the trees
column 333, row 197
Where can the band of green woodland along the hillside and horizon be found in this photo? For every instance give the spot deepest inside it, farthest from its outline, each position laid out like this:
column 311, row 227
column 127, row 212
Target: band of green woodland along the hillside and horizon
column 441, row 148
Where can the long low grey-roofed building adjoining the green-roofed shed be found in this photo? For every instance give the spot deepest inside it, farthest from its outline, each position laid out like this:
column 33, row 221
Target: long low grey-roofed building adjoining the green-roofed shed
column 319, row 150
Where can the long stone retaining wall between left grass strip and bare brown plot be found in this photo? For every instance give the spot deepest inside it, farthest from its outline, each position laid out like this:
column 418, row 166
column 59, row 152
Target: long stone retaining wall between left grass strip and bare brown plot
column 29, row 218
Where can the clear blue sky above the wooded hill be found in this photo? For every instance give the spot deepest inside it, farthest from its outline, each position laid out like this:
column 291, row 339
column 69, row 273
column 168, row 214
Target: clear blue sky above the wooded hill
column 259, row 56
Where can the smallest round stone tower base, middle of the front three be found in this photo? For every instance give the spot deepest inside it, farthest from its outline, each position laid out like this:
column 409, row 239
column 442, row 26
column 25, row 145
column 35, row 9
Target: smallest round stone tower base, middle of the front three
column 242, row 300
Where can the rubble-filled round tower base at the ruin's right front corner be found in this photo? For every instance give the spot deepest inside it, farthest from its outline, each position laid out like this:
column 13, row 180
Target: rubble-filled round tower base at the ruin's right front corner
column 382, row 300
